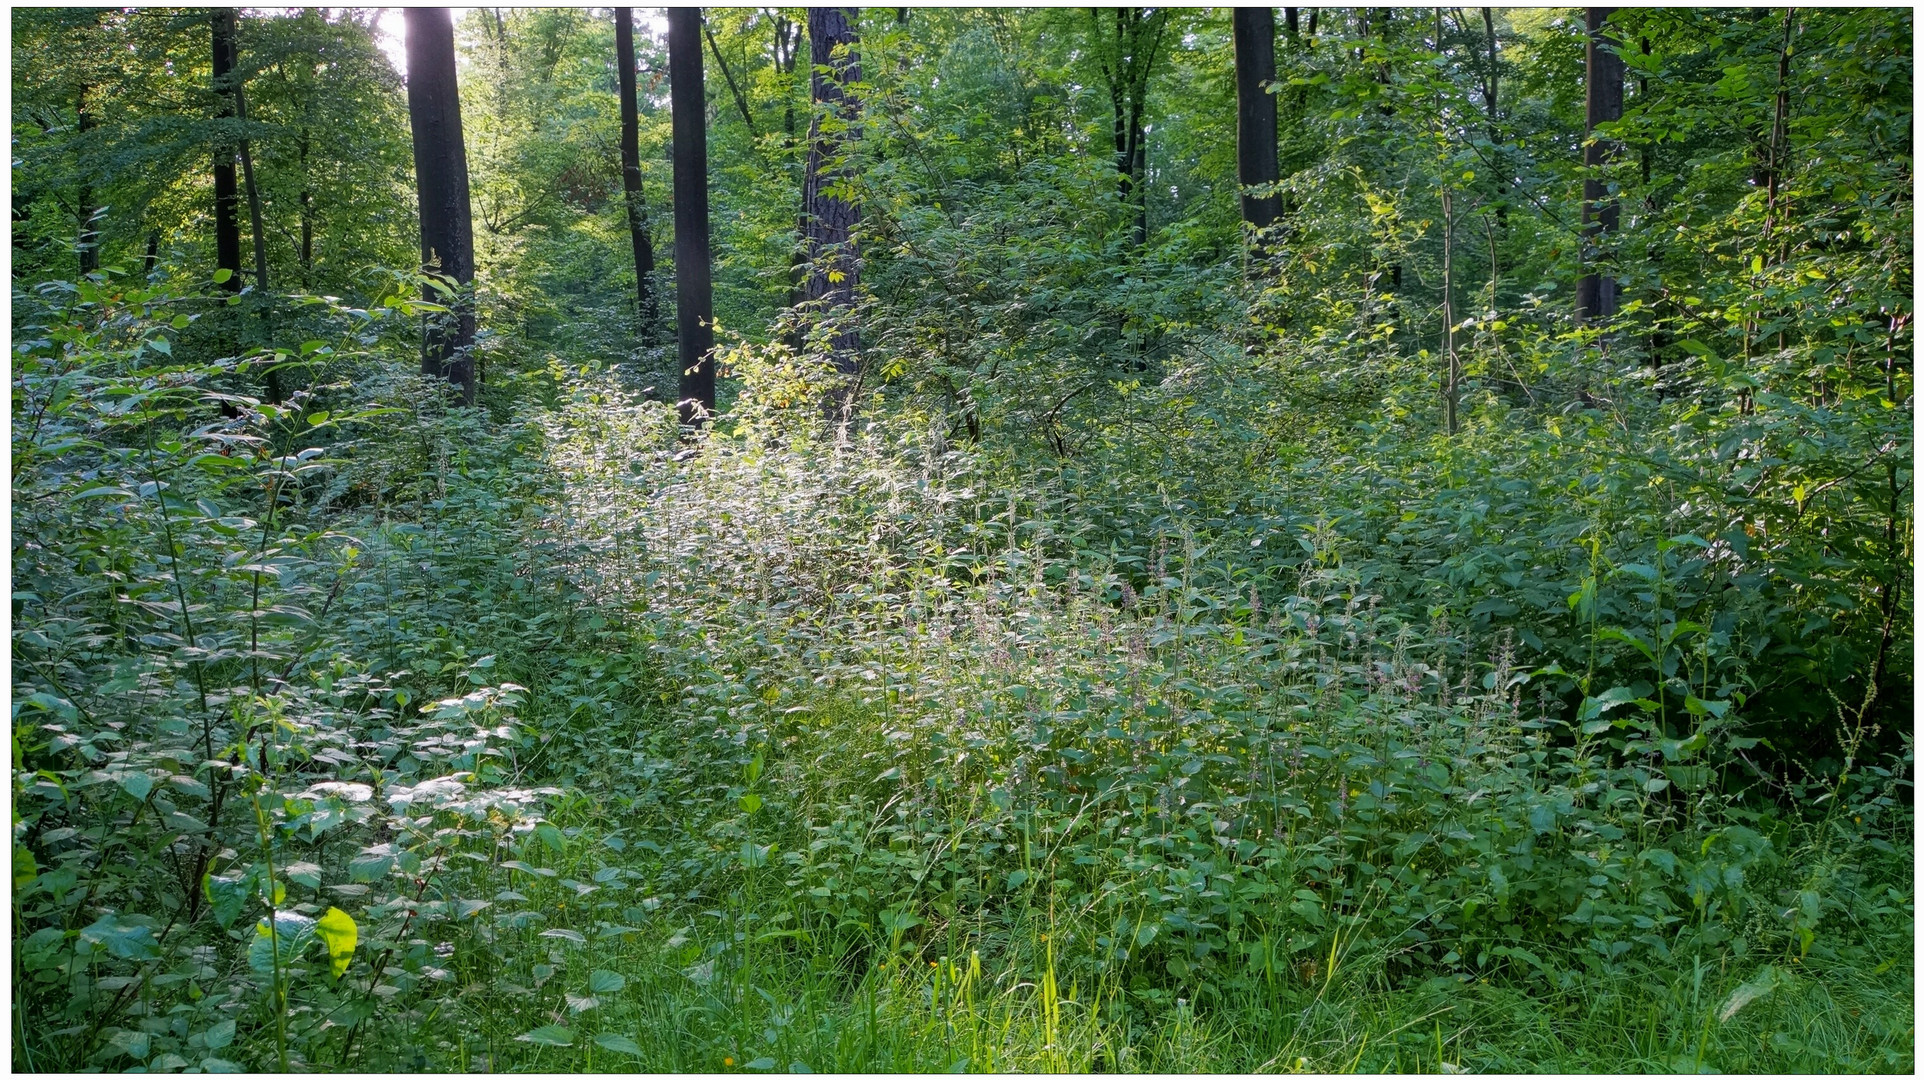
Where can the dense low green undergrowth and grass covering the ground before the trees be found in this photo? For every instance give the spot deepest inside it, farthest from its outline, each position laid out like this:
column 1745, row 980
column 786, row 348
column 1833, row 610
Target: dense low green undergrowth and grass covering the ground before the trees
column 355, row 733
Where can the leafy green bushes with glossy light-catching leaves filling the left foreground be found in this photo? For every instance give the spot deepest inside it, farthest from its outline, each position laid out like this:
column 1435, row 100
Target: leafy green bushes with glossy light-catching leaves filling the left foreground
column 230, row 838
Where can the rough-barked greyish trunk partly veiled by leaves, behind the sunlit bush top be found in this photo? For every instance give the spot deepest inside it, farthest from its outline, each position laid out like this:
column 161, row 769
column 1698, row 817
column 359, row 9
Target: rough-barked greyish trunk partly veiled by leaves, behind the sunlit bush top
column 834, row 263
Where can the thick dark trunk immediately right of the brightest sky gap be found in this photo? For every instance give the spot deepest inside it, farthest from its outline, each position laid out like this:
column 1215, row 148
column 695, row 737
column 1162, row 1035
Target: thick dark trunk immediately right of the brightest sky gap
column 442, row 178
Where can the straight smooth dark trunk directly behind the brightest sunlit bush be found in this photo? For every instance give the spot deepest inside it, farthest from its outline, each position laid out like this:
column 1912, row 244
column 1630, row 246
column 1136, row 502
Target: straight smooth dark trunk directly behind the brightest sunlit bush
column 694, row 292
